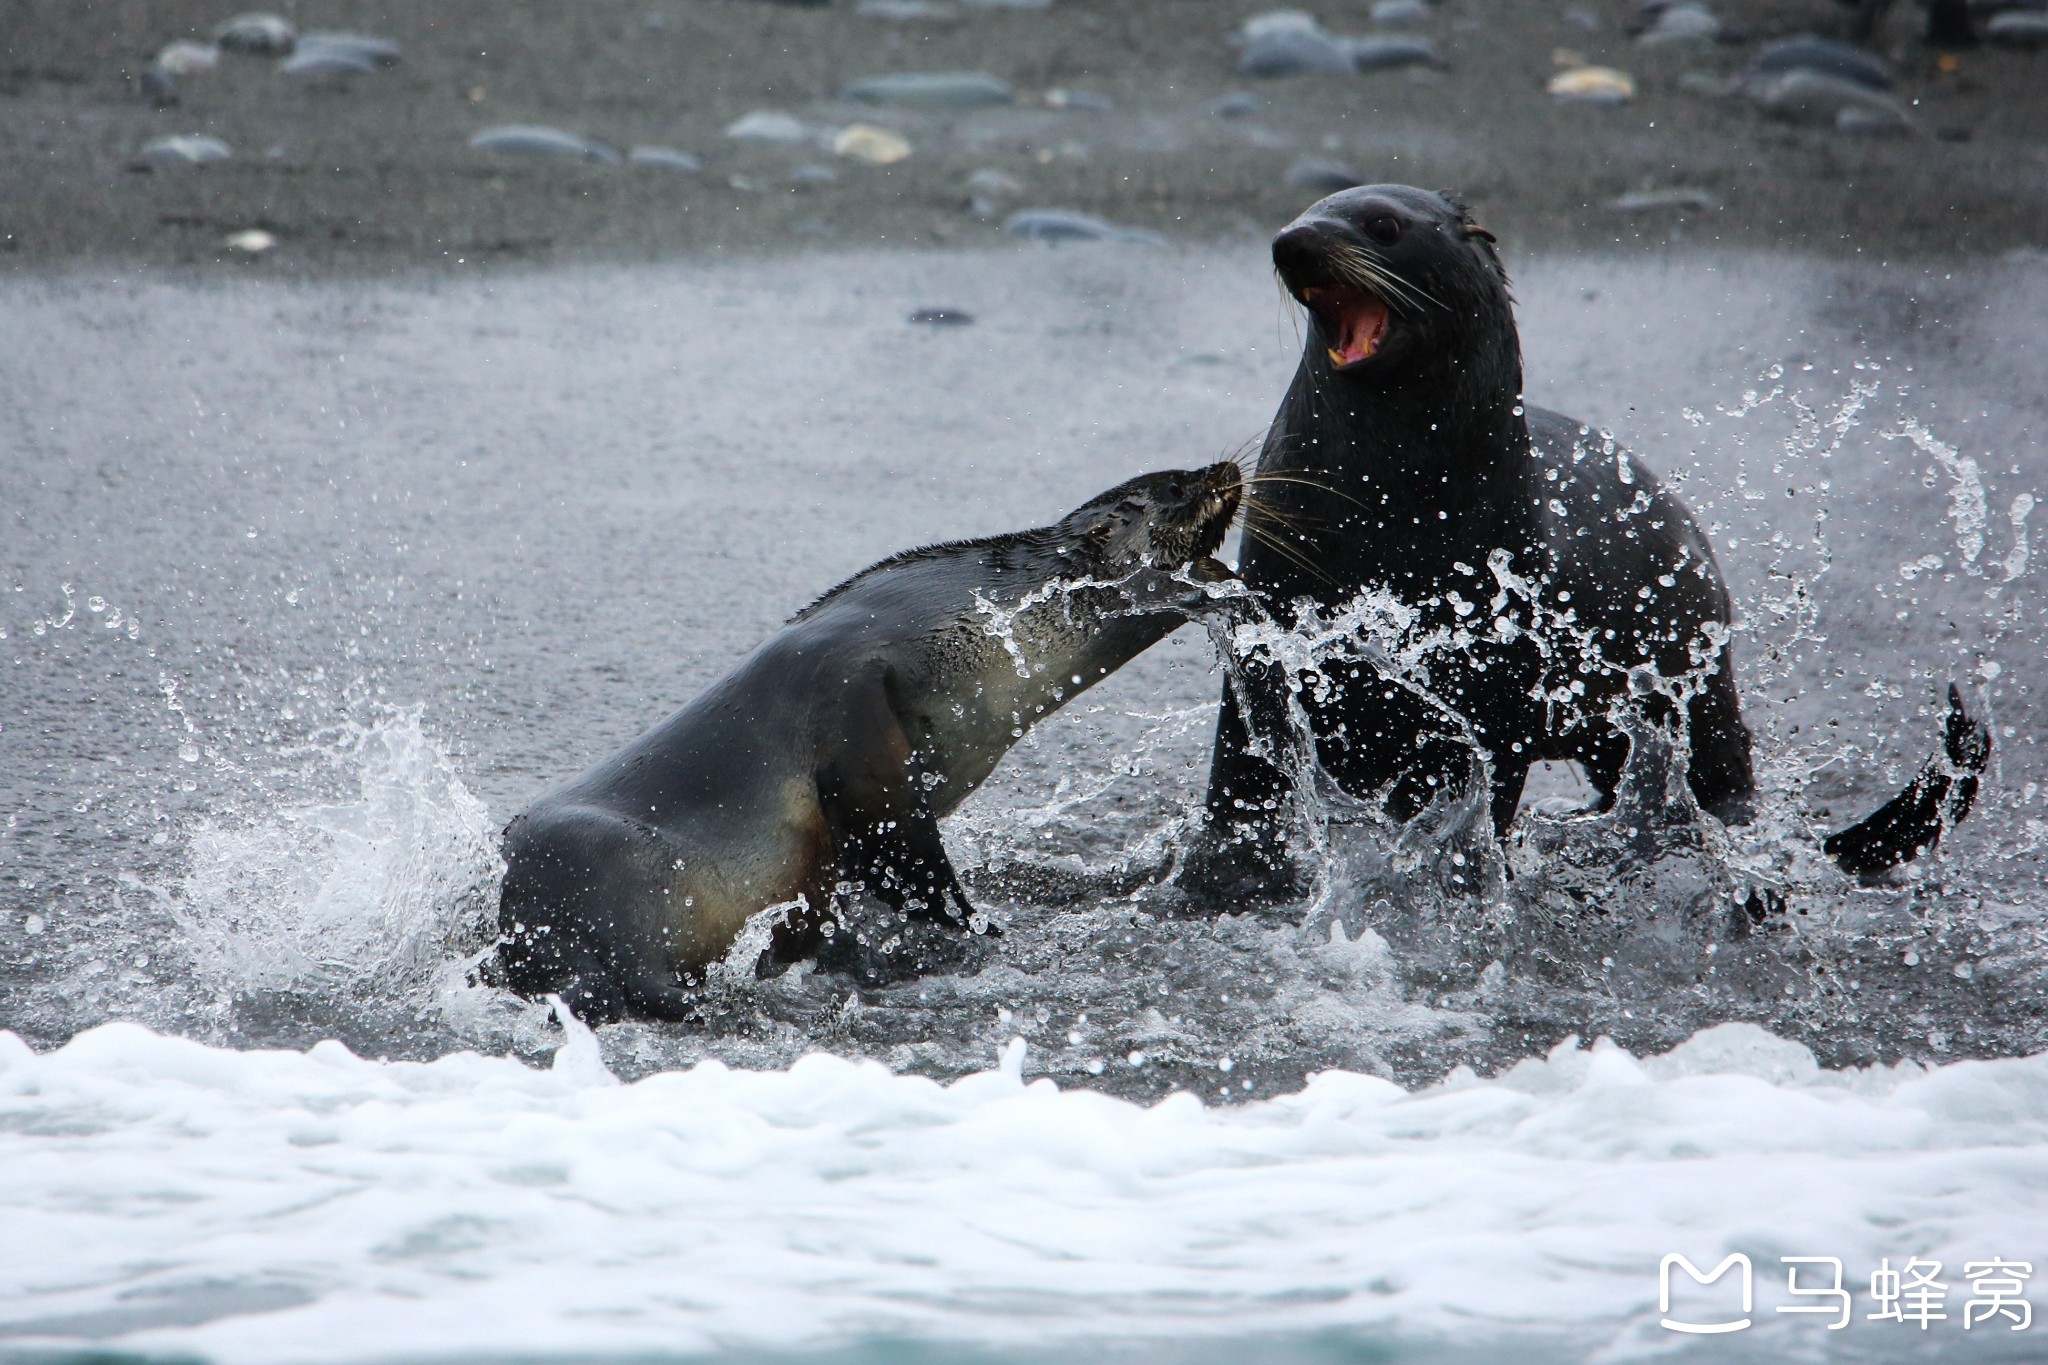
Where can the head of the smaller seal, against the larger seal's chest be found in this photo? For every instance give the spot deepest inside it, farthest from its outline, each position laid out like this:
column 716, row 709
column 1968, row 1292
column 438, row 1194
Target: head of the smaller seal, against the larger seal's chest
column 1168, row 521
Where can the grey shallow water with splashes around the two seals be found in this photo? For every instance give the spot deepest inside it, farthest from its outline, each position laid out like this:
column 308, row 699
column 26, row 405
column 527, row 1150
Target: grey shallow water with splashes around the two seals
column 310, row 586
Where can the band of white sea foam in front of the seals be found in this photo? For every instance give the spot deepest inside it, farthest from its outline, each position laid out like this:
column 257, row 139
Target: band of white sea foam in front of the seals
column 273, row 1206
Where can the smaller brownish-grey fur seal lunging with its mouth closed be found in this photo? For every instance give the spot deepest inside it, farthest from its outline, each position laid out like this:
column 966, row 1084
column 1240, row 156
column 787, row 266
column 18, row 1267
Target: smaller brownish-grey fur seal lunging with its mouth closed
column 820, row 768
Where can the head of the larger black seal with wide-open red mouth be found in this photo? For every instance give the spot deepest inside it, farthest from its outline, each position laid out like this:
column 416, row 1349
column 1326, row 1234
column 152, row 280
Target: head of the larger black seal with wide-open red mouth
column 1400, row 281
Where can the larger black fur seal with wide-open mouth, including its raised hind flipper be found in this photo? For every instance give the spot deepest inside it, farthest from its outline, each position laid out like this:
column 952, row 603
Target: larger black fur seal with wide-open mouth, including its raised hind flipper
column 1560, row 580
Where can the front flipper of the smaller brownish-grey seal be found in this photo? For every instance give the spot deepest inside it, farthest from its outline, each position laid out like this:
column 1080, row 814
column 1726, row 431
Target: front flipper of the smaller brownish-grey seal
column 884, row 830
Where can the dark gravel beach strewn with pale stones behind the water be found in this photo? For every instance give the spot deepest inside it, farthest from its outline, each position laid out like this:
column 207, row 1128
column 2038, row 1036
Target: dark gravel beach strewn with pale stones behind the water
column 1134, row 114
